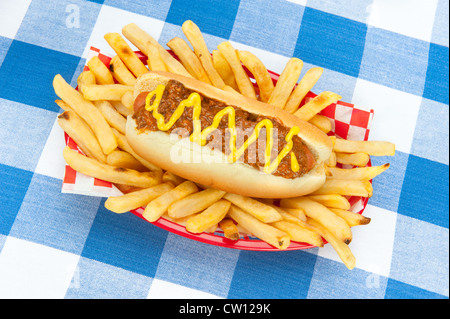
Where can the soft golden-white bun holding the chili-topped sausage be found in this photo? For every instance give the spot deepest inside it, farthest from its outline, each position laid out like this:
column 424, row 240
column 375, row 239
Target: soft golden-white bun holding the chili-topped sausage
column 211, row 168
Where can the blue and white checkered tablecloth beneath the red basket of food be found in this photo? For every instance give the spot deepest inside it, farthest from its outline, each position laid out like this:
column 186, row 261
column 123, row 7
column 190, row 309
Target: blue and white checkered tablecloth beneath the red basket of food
column 392, row 56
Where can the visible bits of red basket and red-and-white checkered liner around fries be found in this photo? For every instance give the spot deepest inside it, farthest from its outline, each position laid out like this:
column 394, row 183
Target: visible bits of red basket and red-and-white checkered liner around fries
column 348, row 121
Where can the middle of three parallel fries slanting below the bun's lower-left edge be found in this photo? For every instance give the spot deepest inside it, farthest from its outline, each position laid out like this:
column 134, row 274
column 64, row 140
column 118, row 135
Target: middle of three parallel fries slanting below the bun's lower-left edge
column 194, row 203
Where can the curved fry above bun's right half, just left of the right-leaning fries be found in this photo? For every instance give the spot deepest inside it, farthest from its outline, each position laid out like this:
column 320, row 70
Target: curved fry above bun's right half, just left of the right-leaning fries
column 260, row 73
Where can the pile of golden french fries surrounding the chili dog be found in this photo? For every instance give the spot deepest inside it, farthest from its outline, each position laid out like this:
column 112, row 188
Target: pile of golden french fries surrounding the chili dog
column 95, row 116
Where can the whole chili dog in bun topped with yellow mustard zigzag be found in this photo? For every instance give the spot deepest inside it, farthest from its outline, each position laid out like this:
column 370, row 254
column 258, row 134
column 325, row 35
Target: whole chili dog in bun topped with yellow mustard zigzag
column 230, row 142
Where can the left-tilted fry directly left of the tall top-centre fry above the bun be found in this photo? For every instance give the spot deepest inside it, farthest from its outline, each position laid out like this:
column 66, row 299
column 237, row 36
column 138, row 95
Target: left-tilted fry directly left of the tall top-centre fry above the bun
column 188, row 59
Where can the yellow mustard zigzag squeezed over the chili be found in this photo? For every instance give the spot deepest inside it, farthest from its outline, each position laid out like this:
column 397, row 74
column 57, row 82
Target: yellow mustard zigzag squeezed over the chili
column 198, row 136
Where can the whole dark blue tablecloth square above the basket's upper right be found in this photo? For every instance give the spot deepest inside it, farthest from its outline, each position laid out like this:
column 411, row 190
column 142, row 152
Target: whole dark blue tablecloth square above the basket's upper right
column 319, row 41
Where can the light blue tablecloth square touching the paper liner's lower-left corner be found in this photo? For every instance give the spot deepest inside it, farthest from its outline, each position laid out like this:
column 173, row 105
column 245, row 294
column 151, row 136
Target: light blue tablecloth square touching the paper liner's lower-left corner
column 52, row 218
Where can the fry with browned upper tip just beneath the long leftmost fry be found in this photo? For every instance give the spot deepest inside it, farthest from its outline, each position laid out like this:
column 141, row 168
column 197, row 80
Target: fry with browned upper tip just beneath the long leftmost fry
column 80, row 132
